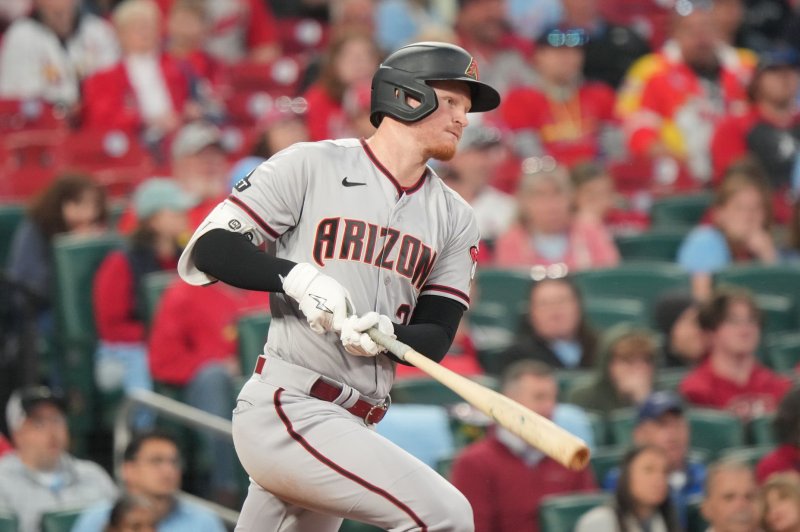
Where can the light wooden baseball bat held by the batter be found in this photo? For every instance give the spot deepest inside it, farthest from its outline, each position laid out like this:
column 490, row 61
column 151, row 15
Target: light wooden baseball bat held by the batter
column 538, row 431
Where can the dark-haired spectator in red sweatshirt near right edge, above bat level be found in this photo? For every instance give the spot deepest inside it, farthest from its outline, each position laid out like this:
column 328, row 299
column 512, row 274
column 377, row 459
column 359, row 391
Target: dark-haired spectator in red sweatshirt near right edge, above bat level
column 731, row 377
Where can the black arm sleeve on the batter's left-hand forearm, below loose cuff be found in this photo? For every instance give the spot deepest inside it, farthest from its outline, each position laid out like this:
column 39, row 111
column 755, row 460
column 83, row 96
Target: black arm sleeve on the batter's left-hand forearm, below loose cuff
column 231, row 258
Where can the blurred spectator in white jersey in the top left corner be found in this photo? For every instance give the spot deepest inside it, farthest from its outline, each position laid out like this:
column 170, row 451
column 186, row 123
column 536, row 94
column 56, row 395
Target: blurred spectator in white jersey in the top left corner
column 48, row 54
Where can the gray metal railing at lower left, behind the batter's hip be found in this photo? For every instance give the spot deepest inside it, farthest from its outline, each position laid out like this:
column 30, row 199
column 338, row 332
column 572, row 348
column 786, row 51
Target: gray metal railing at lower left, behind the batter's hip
column 175, row 410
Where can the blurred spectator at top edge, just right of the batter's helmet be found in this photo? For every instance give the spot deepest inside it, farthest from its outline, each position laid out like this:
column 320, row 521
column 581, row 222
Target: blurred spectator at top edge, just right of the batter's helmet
column 482, row 28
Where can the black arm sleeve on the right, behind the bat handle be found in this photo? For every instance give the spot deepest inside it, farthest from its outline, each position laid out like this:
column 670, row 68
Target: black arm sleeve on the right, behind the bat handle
column 432, row 326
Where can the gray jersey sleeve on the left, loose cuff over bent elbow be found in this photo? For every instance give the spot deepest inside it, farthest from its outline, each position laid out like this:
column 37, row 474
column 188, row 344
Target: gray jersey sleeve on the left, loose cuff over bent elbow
column 262, row 206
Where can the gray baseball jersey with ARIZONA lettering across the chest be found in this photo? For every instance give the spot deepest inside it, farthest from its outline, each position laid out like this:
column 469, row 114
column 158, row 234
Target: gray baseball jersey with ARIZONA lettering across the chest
column 333, row 204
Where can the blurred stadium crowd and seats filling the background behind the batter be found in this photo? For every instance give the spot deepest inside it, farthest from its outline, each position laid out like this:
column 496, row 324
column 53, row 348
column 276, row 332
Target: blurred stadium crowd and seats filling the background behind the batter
column 637, row 192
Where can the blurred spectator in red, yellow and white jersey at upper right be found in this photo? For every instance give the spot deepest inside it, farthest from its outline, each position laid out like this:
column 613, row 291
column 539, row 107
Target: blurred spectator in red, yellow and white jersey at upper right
column 672, row 100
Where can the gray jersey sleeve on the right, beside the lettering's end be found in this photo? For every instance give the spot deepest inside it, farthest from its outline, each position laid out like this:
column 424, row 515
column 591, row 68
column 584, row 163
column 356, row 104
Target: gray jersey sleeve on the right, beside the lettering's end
column 454, row 269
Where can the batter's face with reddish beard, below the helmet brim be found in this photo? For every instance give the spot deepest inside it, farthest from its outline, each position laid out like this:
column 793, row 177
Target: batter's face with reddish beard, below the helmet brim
column 440, row 131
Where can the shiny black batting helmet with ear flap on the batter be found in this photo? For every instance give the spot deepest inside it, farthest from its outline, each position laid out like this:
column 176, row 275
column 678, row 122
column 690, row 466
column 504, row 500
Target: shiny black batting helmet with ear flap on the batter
column 406, row 71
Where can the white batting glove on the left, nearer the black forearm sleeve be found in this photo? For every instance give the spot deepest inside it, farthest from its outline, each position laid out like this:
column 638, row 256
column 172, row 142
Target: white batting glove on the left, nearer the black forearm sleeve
column 321, row 298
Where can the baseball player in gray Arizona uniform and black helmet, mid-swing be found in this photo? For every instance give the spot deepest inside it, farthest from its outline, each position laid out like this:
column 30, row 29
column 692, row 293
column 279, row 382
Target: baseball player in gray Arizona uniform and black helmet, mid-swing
column 365, row 235
